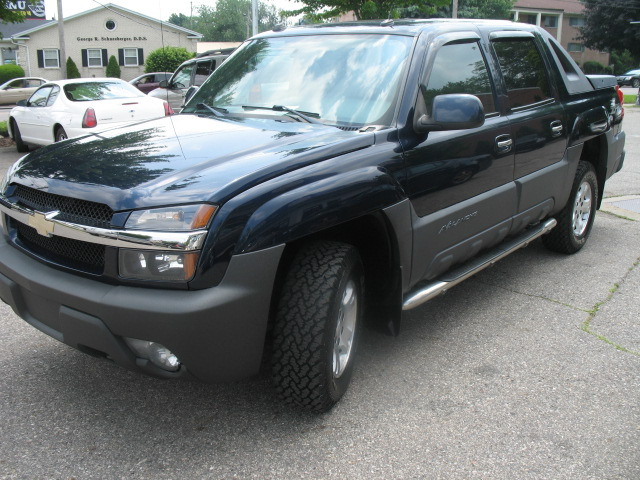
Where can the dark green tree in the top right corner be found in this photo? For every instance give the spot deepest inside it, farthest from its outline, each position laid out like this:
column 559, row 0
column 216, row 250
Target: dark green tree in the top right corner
column 607, row 25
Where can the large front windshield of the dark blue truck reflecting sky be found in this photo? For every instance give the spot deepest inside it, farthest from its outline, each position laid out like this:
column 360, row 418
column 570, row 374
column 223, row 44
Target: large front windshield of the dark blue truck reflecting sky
column 339, row 79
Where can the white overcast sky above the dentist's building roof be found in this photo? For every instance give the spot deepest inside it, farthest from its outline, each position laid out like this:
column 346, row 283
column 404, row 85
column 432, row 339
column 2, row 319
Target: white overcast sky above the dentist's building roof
column 159, row 9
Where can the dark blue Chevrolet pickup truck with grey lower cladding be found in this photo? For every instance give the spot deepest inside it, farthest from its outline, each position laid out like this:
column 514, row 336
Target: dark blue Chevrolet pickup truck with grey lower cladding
column 322, row 179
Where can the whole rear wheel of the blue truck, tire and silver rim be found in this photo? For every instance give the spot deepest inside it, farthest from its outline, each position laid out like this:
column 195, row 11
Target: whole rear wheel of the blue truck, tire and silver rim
column 576, row 218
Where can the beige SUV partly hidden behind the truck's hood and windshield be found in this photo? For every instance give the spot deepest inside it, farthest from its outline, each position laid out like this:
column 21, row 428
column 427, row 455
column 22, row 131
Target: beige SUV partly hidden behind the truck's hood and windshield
column 191, row 73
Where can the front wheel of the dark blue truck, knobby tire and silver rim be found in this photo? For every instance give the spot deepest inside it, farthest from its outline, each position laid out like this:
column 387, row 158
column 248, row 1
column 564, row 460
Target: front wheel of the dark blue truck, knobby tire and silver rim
column 318, row 319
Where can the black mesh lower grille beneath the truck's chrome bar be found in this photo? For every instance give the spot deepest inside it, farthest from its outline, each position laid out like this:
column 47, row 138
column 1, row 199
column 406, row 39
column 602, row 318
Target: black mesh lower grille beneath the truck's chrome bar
column 84, row 256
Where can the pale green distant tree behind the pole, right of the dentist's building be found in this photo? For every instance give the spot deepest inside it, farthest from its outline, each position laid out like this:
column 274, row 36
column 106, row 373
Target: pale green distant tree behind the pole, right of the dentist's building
column 230, row 20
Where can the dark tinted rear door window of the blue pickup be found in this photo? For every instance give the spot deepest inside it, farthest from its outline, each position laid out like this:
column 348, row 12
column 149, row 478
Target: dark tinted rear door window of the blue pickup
column 523, row 71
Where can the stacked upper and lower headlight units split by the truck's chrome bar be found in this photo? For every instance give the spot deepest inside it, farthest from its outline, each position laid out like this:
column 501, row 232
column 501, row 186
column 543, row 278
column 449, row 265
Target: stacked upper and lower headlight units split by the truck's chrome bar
column 164, row 266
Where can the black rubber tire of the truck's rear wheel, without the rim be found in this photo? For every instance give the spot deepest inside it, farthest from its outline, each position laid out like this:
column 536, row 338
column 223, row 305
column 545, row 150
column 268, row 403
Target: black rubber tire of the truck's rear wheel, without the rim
column 561, row 238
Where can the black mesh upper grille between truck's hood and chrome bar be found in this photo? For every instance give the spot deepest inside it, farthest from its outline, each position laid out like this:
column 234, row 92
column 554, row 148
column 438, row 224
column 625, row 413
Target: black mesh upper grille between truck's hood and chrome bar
column 71, row 210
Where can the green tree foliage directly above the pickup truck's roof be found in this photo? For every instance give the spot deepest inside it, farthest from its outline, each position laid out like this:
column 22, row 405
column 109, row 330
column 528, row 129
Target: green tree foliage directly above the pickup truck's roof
column 368, row 9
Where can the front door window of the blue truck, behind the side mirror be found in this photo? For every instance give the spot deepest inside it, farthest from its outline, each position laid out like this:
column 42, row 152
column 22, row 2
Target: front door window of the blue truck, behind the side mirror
column 460, row 68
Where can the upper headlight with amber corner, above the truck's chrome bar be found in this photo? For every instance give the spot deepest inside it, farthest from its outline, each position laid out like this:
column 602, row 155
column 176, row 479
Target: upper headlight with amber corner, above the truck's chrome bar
column 180, row 218
